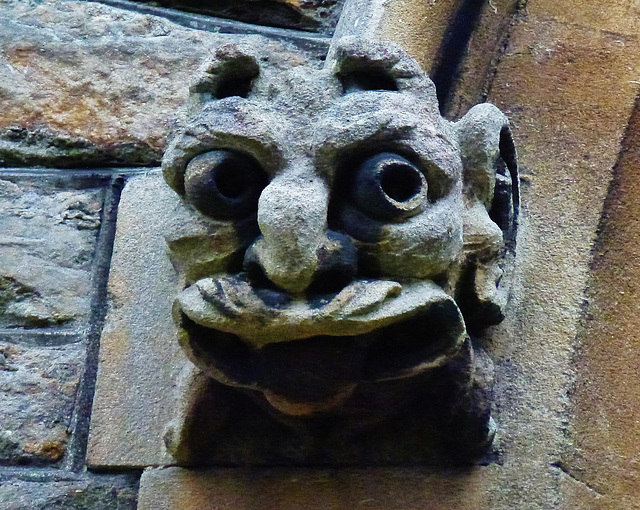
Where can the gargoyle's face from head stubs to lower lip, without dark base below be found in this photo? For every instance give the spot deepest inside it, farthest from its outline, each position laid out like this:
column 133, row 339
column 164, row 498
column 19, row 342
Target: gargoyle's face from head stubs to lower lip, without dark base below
column 343, row 231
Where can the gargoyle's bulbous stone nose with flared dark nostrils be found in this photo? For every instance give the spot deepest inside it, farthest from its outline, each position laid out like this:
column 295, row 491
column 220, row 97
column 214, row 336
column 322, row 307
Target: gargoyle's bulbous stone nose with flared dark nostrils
column 296, row 252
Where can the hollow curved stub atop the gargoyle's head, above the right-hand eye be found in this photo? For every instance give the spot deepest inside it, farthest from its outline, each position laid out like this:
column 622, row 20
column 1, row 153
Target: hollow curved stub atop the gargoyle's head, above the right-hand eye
column 368, row 65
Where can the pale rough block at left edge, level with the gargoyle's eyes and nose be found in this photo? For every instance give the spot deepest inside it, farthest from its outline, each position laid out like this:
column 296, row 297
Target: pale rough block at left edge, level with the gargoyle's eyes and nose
column 47, row 243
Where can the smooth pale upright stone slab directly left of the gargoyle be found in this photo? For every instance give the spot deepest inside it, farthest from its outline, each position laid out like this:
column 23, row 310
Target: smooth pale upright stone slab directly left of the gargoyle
column 140, row 359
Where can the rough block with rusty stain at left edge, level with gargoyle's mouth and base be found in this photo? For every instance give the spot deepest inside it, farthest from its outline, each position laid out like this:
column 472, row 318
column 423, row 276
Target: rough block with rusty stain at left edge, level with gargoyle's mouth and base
column 37, row 389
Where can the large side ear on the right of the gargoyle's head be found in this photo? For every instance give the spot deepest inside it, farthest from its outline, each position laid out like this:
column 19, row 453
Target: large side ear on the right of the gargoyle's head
column 491, row 207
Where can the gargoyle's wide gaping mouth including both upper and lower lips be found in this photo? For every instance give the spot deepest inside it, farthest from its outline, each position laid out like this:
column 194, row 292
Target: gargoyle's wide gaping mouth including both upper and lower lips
column 317, row 352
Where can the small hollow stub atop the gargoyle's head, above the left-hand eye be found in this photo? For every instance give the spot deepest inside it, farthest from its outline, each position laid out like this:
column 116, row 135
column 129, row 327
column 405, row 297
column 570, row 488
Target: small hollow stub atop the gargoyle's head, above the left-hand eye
column 232, row 72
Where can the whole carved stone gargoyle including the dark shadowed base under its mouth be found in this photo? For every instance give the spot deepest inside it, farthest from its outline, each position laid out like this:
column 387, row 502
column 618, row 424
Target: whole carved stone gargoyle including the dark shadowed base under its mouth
column 348, row 248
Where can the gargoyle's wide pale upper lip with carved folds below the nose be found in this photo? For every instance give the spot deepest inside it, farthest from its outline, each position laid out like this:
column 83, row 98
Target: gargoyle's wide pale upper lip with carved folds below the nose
column 229, row 303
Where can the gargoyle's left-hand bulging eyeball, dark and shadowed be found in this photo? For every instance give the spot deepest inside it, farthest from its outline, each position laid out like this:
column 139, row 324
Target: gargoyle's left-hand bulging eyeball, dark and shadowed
column 224, row 184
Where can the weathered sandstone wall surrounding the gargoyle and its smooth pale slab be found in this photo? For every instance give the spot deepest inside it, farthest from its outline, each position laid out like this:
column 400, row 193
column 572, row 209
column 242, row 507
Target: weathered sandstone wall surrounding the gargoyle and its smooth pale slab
column 89, row 92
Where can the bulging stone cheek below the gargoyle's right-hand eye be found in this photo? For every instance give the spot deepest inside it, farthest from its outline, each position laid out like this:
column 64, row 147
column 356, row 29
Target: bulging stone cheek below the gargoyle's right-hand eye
column 423, row 246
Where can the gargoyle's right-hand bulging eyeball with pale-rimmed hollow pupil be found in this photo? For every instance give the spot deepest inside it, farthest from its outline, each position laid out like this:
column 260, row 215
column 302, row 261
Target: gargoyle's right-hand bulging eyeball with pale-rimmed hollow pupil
column 389, row 187
